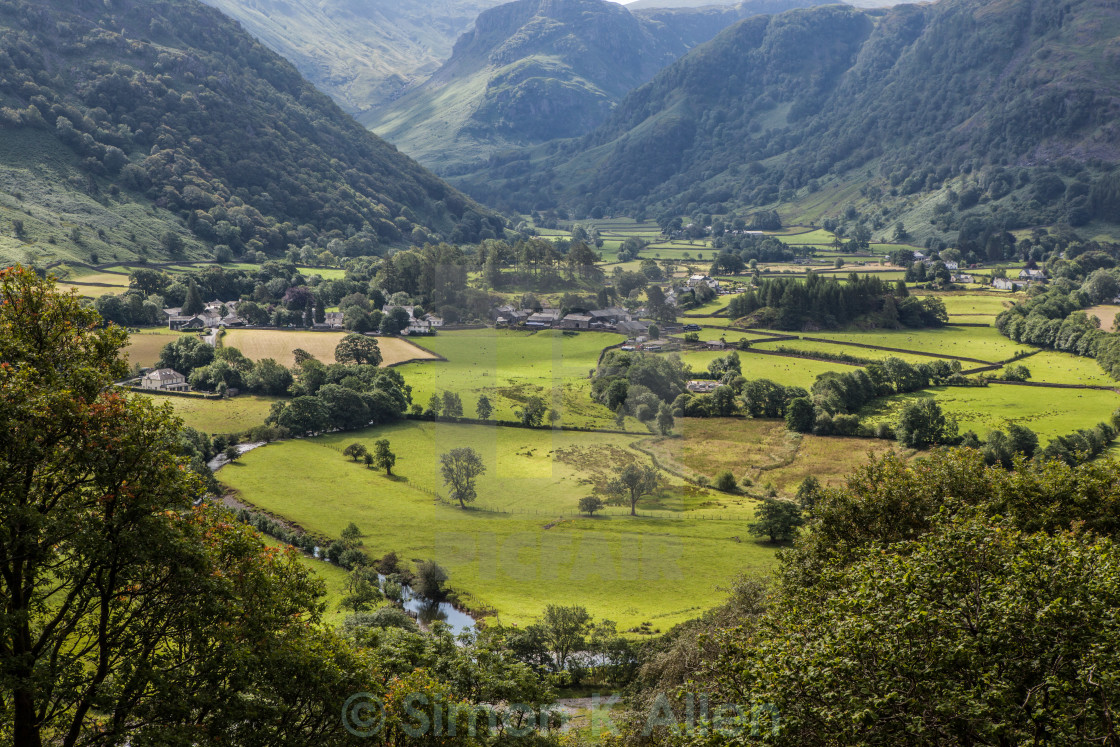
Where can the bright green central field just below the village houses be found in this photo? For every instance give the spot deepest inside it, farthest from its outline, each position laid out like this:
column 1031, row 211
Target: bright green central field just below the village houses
column 510, row 367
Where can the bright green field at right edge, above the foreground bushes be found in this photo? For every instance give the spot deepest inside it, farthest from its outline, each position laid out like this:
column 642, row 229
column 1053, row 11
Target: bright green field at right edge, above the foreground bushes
column 1048, row 413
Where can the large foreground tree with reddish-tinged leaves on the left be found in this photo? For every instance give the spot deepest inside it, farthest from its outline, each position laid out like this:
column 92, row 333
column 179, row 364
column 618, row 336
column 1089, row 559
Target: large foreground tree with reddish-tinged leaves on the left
column 100, row 536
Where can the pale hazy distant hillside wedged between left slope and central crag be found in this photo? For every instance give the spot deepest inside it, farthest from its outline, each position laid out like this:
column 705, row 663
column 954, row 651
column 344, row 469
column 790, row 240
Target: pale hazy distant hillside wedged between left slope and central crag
column 361, row 53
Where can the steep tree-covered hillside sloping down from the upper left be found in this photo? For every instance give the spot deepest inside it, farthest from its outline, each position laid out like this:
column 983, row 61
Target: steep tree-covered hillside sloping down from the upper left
column 158, row 127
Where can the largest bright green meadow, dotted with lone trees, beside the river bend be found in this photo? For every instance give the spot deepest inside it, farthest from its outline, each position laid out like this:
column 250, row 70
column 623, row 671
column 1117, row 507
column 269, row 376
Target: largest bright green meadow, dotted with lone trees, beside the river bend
column 628, row 569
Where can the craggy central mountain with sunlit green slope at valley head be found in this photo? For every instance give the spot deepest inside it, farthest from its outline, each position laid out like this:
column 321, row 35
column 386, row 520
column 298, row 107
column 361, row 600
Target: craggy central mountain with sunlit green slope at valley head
column 534, row 71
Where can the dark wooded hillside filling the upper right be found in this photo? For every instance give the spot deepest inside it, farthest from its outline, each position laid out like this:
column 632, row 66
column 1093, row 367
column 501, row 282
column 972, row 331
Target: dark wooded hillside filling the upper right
column 1006, row 102
